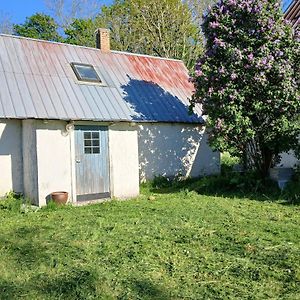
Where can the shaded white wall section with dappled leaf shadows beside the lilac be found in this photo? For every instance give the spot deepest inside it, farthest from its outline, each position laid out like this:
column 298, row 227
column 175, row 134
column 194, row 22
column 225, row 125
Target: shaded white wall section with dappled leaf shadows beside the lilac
column 175, row 149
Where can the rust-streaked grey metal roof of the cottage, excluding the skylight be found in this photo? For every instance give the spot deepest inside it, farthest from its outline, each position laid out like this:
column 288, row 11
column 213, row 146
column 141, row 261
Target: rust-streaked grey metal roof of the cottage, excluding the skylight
column 37, row 81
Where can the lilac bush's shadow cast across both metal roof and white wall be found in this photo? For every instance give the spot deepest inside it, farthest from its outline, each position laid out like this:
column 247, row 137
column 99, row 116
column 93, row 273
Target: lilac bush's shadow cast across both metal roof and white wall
column 172, row 146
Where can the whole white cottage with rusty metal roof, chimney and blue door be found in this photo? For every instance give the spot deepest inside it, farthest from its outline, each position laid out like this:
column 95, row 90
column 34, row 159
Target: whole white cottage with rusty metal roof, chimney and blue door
column 94, row 122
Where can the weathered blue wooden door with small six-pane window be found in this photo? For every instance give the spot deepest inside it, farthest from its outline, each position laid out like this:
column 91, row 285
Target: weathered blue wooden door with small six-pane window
column 92, row 162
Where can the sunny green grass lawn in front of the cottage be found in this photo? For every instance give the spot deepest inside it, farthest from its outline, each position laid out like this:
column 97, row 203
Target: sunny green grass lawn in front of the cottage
column 180, row 245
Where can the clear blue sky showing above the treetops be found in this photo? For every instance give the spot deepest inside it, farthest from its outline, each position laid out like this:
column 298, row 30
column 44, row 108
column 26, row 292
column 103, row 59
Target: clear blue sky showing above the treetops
column 18, row 10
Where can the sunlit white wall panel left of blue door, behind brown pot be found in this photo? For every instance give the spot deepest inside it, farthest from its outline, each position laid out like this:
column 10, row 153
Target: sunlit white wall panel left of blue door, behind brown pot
column 53, row 152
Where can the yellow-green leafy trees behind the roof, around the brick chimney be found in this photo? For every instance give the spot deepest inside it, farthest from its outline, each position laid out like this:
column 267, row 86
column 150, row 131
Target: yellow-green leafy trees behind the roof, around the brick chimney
column 162, row 28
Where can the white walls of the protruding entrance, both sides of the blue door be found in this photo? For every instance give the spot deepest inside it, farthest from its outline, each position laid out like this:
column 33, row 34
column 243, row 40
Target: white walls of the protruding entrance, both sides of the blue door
column 53, row 156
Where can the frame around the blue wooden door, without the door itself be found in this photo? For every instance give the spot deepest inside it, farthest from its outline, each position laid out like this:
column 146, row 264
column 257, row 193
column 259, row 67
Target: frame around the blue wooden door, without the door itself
column 73, row 158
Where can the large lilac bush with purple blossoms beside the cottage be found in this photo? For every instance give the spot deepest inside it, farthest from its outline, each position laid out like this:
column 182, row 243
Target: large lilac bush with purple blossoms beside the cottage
column 247, row 81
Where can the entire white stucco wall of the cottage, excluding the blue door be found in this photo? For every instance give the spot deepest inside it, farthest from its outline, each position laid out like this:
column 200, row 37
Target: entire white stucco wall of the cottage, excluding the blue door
column 44, row 153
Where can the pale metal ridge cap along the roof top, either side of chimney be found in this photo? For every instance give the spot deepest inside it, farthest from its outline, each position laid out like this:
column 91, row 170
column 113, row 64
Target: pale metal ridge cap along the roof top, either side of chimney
column 91, row 48
